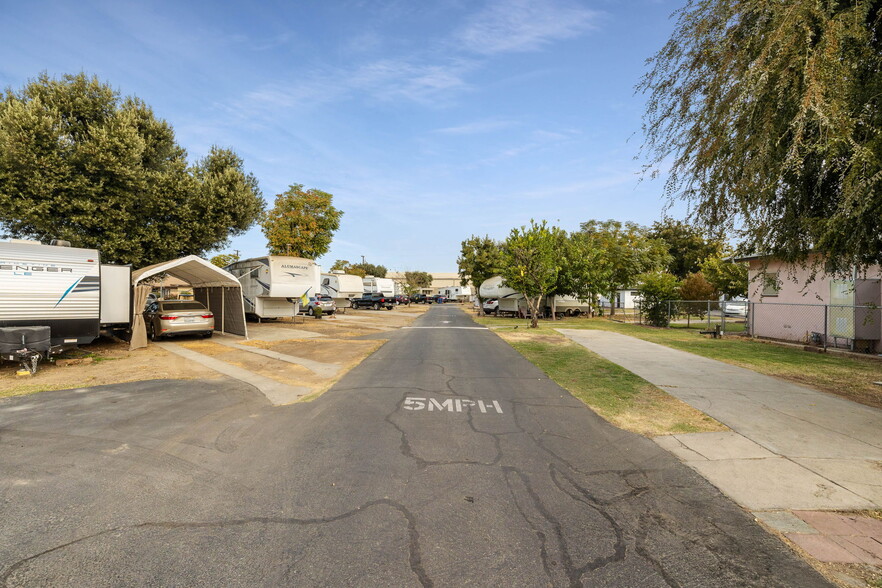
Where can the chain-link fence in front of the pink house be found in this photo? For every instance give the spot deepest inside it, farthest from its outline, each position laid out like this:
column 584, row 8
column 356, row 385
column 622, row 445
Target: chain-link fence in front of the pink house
column 857, row 328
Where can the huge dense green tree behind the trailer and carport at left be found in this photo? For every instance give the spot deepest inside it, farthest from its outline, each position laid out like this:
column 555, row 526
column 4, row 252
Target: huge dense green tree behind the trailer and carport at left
column 81, row 163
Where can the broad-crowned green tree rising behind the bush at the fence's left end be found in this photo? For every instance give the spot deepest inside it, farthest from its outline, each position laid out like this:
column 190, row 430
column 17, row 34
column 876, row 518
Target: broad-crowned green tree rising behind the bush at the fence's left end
column 628, row 251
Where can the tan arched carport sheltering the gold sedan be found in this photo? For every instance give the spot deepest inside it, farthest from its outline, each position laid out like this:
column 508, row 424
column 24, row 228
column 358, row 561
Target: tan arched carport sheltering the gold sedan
column 217, row 289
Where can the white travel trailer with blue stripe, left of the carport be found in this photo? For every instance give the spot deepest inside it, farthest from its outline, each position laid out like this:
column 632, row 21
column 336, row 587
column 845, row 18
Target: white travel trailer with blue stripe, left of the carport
column 55, row 297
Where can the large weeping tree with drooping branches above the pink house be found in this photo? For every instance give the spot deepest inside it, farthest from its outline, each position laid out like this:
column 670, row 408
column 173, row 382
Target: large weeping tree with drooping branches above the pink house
column 771, row 116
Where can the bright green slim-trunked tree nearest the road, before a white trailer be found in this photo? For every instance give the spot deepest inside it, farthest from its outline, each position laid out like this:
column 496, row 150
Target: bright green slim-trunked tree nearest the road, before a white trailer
column 530, row 263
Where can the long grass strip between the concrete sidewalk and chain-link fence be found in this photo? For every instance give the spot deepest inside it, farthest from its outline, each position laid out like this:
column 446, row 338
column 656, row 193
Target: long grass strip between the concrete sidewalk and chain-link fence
column 850, row 377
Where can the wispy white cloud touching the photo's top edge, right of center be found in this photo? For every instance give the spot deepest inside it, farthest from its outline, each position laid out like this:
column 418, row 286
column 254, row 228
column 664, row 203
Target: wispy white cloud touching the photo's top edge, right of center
column 523, row 25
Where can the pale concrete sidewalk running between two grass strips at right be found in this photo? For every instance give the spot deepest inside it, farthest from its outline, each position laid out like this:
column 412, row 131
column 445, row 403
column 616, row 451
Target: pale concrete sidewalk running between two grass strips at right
column 791, row 447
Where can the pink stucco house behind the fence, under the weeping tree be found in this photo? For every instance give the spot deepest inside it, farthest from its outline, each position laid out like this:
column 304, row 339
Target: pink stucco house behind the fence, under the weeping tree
column 805, row 304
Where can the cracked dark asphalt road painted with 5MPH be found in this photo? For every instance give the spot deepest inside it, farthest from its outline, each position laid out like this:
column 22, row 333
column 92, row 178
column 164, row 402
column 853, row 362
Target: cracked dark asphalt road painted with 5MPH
column 506, row 481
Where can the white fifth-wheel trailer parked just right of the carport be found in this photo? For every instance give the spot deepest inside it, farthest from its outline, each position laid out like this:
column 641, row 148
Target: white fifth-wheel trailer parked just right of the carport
column 273, row 286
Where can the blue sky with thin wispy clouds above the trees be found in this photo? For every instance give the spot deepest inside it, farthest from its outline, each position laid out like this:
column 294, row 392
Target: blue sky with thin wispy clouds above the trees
column 429, row 121
